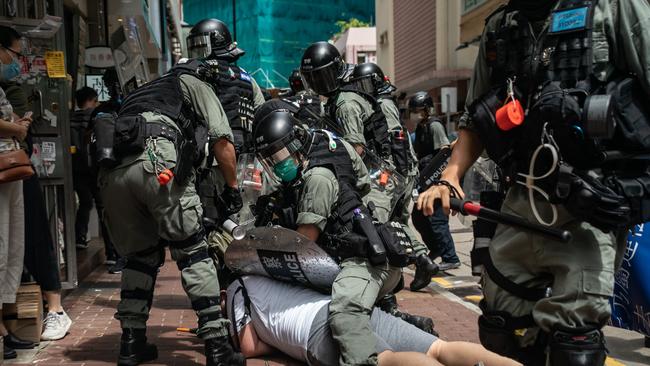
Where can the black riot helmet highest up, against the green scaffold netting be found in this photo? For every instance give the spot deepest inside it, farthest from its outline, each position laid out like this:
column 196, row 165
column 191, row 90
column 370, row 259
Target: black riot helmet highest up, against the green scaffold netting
column 210, row 38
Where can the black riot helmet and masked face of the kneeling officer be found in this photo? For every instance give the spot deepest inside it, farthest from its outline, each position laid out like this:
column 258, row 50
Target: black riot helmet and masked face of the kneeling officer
column 278, row 144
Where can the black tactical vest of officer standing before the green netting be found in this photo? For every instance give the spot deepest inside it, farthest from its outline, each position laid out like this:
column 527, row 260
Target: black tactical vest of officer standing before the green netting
column 234, row 88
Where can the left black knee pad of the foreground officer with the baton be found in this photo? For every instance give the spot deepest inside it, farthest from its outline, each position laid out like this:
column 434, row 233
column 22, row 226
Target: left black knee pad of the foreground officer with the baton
column 496, row 332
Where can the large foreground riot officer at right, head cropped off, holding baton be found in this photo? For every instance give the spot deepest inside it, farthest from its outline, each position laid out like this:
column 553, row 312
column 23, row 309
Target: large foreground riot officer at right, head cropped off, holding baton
column 571, row 74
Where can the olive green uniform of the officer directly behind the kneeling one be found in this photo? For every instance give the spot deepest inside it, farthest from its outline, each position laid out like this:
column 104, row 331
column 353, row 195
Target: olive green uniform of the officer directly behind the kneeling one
column 352, row 110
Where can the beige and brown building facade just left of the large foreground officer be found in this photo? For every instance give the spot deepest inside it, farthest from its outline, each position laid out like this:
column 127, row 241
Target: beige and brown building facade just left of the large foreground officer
column 431, row 45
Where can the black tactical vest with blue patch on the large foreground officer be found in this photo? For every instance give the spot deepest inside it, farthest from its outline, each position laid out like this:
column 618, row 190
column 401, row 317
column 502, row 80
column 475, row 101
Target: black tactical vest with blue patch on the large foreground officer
column 563, row 64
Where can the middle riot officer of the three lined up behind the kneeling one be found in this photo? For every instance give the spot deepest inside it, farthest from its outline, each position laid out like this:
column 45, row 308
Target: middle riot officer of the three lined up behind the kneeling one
column 369, row 78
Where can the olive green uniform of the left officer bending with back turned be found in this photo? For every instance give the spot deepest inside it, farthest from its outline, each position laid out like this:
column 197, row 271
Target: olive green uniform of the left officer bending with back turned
column 140, row 213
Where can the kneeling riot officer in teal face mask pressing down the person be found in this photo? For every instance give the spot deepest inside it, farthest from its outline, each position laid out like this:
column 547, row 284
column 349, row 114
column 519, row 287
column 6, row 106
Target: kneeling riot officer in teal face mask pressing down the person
column 323, row 180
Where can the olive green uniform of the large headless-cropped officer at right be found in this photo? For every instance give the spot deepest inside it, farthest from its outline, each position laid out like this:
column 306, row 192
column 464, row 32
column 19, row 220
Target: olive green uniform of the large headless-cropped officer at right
column 583, row 270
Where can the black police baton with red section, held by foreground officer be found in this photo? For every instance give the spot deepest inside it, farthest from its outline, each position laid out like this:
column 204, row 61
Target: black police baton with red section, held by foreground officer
column 466, row 207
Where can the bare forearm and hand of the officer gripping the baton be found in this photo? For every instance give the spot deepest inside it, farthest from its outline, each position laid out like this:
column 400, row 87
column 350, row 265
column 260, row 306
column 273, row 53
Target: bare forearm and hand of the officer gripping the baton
column 465, row 152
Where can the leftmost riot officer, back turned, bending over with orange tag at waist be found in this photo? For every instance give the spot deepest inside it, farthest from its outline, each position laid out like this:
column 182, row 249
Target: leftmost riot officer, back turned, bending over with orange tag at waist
column 151, row 202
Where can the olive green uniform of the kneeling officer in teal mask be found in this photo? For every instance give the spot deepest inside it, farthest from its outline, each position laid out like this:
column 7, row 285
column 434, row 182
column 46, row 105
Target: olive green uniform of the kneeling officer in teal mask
column 359, row 284
